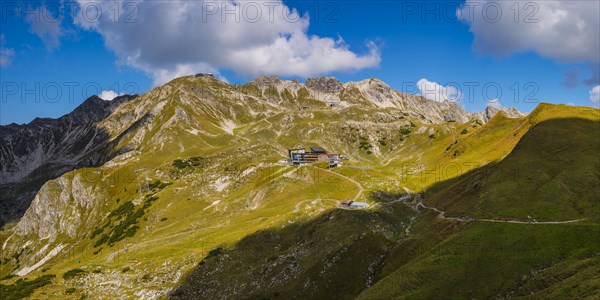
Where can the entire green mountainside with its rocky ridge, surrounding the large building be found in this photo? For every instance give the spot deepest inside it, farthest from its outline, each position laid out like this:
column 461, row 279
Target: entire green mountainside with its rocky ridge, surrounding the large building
column 197, row 202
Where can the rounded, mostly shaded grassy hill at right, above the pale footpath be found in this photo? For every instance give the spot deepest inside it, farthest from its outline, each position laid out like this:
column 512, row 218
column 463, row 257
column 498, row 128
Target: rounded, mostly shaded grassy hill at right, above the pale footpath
column 552, row 174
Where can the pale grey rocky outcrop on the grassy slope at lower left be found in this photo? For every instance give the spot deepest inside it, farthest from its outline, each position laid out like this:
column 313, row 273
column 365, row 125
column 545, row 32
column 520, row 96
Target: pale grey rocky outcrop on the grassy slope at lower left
column 63, row 211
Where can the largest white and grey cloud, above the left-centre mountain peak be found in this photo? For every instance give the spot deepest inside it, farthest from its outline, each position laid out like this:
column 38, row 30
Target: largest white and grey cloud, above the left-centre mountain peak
column 171, row 38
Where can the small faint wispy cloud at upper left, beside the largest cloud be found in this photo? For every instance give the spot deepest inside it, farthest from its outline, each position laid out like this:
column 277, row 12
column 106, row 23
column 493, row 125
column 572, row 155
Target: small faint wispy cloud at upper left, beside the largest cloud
column 46, row 26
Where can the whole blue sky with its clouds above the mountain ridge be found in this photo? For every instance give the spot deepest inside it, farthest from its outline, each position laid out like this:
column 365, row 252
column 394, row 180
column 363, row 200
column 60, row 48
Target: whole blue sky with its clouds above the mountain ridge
column 49, row 67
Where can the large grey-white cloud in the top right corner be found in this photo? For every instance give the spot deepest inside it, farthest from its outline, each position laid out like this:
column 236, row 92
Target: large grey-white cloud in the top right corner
column 560, row 30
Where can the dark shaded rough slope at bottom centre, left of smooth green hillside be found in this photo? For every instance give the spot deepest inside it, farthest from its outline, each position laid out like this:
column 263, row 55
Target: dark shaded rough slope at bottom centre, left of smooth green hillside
column 332, row 256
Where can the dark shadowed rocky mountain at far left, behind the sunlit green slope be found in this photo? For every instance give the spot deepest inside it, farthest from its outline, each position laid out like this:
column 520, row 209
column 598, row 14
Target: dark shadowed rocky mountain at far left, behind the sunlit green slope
column 33, row 153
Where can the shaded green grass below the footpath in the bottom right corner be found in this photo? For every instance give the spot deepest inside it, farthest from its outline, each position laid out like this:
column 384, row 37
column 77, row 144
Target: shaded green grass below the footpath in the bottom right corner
column 488, row 260
